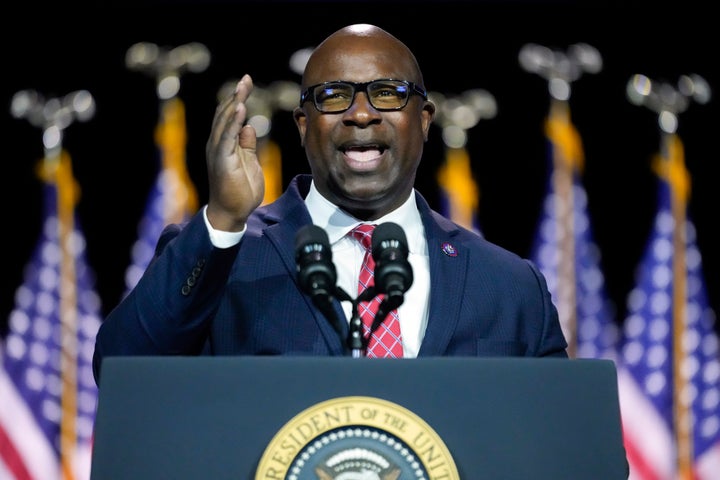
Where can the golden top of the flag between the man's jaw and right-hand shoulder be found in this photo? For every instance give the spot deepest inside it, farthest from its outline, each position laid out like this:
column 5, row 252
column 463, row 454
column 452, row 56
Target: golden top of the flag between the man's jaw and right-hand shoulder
column 459, row 193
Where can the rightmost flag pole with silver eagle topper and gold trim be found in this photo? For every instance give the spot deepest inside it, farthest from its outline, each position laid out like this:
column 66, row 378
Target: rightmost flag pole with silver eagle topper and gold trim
column 668, row 101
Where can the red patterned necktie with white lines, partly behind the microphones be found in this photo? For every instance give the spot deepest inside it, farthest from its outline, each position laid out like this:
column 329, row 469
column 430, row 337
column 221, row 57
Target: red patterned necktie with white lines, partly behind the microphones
column 386, row 340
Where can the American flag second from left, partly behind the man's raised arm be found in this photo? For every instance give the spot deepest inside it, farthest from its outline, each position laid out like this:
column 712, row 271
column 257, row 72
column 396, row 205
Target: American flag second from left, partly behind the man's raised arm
column 173, row 198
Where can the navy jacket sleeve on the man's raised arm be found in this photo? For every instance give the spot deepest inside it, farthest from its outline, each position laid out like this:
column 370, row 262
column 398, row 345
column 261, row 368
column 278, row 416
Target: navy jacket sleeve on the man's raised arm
column 169, row 310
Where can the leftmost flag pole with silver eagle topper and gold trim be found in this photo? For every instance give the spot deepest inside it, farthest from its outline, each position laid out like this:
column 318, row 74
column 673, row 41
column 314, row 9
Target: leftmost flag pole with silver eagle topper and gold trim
column 53, row 116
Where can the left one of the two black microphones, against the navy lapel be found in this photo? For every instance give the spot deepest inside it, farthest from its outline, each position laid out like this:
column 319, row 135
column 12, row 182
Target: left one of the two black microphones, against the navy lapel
column 316, row 271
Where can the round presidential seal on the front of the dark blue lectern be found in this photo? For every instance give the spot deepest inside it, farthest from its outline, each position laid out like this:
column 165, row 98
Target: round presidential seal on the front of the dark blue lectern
column 356, row 438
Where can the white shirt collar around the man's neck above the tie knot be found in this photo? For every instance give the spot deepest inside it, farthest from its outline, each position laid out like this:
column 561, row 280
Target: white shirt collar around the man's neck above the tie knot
column 337, row 223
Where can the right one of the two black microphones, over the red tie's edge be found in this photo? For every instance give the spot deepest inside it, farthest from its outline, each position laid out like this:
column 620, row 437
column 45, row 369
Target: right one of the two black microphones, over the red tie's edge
column 393, row 273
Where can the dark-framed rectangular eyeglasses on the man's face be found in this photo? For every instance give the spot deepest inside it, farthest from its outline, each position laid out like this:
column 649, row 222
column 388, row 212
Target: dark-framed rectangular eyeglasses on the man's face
column 384, row 94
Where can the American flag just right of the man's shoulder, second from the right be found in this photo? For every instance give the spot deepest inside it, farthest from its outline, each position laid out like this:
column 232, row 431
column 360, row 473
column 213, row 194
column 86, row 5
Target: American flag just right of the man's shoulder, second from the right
column 564, row 248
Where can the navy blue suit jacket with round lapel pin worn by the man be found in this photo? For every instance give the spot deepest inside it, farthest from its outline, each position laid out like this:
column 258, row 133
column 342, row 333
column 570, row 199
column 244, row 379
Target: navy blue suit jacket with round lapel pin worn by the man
column 196, row 299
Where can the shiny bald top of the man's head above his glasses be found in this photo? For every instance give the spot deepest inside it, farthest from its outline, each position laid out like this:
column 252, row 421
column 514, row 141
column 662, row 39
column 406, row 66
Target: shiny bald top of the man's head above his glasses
column 357, row 45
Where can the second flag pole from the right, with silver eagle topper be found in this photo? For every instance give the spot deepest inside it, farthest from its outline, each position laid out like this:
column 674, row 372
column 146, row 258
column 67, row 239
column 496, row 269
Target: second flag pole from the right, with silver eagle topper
column 560, row 69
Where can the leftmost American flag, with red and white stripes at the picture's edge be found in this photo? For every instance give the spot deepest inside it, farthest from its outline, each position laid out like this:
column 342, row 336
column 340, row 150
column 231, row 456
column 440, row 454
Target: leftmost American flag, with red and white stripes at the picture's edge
column 48, row 395
